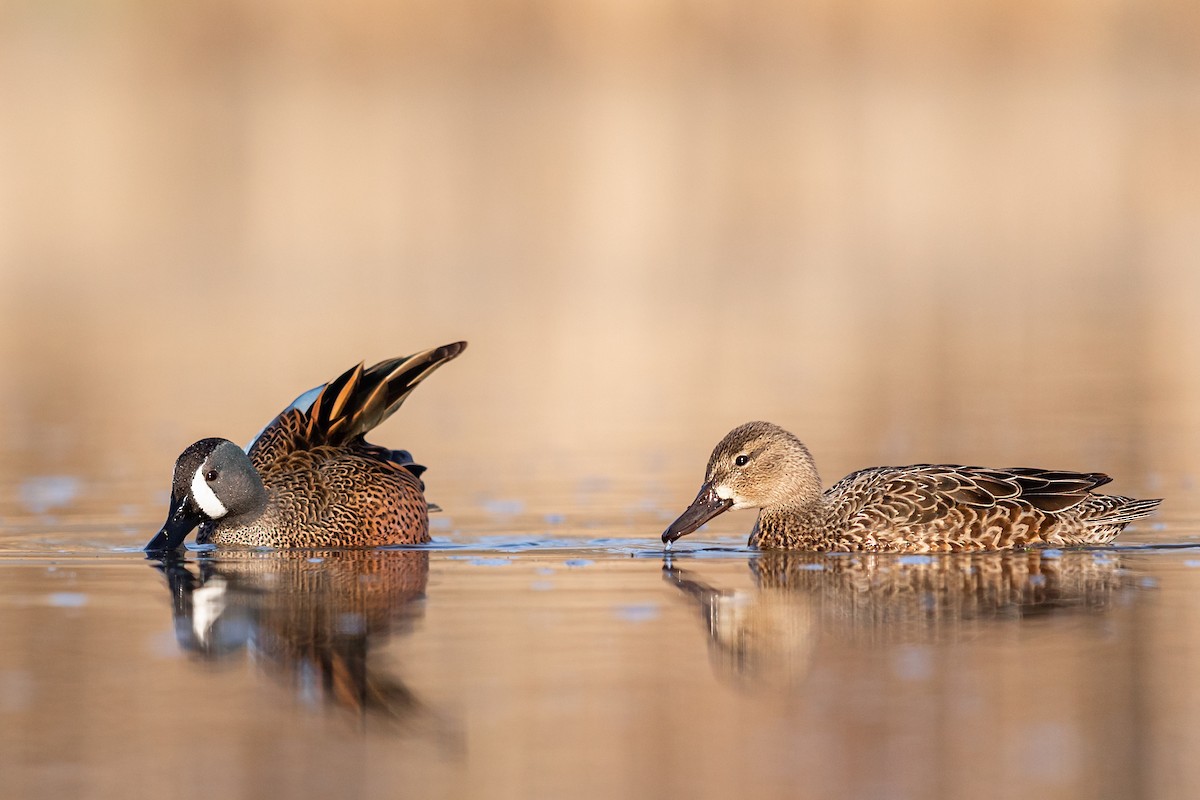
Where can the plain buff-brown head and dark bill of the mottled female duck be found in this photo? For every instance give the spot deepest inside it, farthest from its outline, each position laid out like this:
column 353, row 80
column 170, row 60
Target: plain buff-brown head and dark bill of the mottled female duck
column 757, row 466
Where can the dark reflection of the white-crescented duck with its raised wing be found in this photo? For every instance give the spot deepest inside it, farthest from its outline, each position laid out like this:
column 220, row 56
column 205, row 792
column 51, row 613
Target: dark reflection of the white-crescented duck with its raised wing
column 310, row 616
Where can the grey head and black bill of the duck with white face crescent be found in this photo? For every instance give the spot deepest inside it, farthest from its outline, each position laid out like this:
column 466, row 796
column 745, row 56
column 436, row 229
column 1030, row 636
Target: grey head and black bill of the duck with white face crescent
column 214, row 479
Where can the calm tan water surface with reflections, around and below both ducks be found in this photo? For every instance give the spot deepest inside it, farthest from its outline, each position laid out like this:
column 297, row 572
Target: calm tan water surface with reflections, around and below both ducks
column 548, row 658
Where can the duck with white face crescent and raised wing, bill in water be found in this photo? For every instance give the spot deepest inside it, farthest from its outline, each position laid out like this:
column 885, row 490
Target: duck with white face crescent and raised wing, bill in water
column 310, row 479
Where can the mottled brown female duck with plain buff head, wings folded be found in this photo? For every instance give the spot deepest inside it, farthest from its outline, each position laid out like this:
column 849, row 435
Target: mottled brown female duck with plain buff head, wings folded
column 920, row 509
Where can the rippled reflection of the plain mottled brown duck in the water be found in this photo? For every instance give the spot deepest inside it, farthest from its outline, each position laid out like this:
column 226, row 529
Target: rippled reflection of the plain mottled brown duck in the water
column 769, row 634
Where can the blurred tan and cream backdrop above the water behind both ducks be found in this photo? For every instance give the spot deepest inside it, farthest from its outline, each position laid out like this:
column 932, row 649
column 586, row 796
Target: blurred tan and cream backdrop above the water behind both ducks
column 908, row 231
